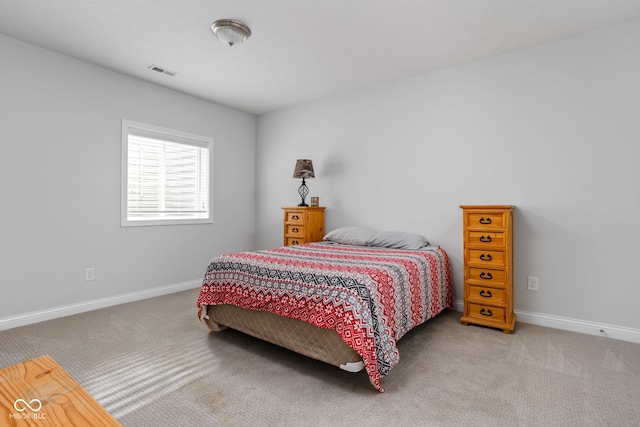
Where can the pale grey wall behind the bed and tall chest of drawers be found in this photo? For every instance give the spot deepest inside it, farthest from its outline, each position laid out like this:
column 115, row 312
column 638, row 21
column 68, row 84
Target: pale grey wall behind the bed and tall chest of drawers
column 553, row 129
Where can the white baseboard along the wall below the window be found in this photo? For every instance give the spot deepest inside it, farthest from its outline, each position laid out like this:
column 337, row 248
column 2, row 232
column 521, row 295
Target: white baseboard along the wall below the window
column 67, row 310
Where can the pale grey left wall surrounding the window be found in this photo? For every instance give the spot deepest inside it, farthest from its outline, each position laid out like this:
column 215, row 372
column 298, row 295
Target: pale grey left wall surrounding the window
column 60, row 179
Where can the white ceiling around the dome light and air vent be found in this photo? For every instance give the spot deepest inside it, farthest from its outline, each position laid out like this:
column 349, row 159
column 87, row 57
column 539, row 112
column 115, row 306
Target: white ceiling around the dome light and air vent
column 300, row 50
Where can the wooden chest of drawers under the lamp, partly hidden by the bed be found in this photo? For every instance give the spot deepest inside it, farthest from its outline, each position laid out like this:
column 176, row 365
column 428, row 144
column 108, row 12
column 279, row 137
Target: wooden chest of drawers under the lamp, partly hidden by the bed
column 303, row 225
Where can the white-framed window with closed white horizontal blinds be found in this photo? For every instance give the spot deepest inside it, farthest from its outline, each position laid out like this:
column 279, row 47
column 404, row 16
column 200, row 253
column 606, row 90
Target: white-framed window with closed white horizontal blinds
column 166, row 176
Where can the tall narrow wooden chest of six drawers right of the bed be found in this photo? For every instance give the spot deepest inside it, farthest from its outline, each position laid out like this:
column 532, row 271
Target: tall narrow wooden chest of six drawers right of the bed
column 488, row 251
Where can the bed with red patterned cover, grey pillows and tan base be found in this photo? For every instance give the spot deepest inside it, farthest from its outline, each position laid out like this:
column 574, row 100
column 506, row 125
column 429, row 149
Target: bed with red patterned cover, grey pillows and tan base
column 342, row 303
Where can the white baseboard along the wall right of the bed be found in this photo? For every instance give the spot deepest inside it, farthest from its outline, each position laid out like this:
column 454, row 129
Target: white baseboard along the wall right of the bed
column 574, row 325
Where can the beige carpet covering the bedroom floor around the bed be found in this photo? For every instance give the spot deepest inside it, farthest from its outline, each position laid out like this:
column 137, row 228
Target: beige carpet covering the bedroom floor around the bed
column 151, row 363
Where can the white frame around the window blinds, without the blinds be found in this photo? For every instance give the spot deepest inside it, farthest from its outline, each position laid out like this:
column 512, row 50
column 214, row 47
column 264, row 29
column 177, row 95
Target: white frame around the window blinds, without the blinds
column 172, row 135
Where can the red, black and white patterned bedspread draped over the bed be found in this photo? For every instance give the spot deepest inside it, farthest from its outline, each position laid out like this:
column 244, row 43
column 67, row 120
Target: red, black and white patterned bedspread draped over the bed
column 370, row 296
